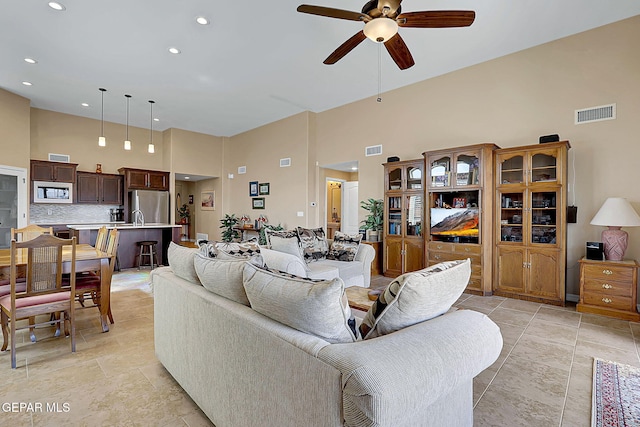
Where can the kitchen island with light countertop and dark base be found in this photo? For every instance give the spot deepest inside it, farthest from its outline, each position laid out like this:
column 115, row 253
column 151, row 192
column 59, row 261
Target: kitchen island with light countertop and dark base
column 129, row 235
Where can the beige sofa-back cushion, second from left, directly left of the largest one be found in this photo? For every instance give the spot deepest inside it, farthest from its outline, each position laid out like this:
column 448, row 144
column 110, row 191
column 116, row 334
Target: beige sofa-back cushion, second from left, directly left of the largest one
column 222, row 277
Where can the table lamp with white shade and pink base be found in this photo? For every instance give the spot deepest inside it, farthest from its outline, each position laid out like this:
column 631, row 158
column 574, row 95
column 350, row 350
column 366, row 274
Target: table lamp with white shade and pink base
column 616, row 212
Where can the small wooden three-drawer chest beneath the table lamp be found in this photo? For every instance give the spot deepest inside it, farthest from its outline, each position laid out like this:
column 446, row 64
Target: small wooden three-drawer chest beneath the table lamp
column 609, row 288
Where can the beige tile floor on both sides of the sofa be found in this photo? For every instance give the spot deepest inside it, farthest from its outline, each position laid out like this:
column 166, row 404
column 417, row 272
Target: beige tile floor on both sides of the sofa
column 542, row 378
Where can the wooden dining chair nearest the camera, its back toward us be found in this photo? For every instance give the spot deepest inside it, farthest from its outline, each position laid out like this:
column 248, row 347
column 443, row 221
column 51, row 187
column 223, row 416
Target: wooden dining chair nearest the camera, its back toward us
column 44, row 292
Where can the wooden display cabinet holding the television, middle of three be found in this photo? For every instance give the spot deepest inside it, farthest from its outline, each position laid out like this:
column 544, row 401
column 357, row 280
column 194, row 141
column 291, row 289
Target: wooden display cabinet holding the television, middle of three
column 459, row 214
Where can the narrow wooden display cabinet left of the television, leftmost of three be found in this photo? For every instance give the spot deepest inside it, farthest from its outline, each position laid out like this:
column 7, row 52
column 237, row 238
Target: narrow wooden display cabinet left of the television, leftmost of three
column 403, row 243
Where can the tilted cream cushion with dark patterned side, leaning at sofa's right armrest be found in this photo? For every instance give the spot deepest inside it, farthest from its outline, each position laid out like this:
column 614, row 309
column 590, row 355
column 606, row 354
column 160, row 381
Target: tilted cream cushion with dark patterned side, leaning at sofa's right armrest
column 415, row 297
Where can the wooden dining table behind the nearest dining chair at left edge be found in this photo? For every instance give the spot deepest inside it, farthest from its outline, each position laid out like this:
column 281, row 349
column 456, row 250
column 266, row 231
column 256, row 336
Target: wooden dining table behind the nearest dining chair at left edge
column 88, row 258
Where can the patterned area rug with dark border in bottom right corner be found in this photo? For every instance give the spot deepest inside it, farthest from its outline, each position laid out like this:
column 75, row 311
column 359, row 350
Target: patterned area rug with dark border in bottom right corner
column 616, row 395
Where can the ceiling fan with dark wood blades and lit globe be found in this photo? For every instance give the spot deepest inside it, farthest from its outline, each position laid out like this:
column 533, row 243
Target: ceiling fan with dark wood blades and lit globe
column 382, row 19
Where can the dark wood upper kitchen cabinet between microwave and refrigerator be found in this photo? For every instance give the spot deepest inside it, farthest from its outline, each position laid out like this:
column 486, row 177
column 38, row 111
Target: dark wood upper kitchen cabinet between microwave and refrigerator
column 98, row 188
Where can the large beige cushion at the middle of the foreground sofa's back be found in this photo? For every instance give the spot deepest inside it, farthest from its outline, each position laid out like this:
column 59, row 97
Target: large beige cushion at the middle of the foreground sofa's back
column 319, row 308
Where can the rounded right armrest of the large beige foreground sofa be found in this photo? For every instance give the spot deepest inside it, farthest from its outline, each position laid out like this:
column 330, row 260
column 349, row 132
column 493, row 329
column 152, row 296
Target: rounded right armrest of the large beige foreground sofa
column 387, row 380
